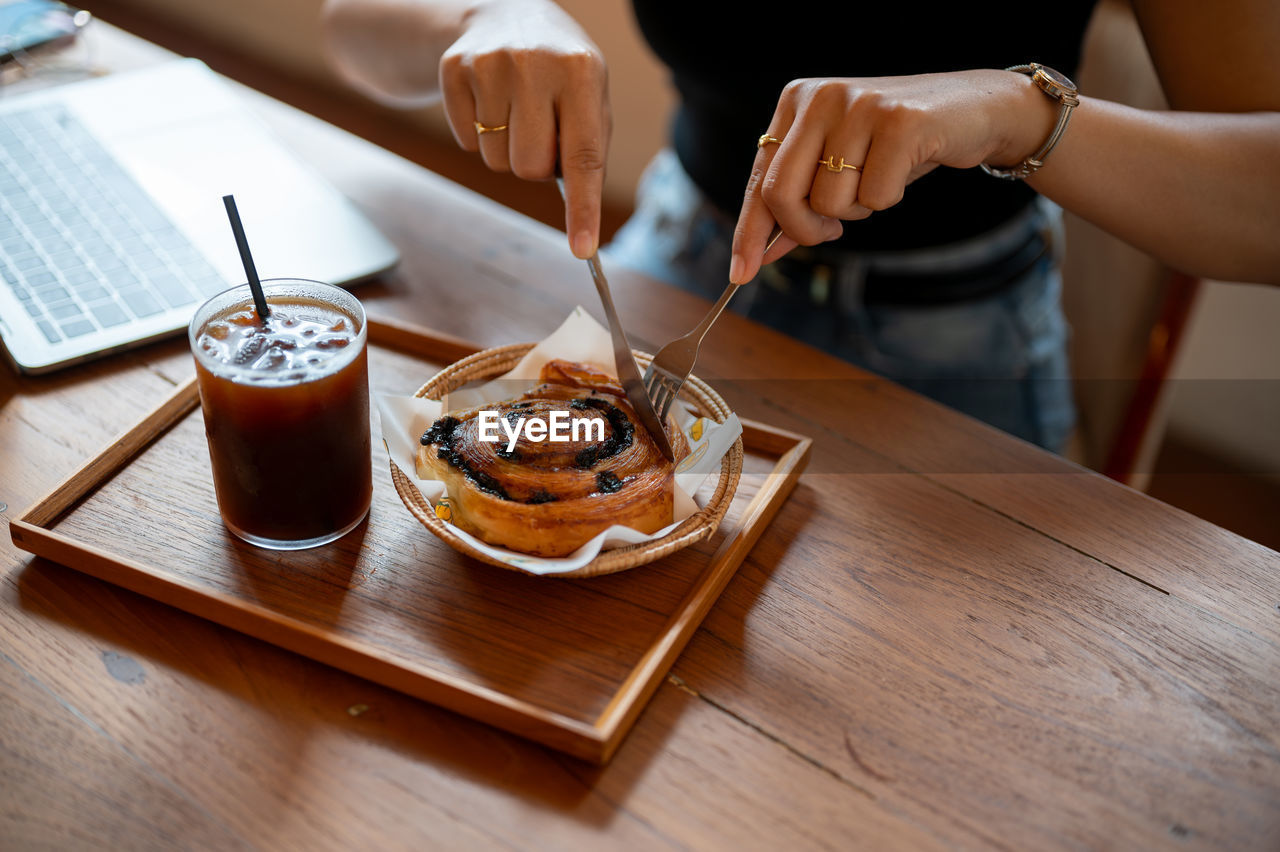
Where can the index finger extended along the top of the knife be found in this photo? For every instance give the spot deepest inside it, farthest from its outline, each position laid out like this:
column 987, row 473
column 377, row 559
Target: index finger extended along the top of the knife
column 584, row 129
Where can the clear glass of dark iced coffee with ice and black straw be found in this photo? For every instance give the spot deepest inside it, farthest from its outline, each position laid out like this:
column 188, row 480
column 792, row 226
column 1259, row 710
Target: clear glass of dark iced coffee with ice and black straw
column 286, row 405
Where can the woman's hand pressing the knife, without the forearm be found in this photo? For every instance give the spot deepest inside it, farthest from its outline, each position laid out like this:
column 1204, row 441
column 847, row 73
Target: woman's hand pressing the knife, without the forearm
column 527, row 67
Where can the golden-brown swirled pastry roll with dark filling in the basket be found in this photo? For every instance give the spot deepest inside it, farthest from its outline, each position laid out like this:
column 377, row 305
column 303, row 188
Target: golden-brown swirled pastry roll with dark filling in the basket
column 548, row 497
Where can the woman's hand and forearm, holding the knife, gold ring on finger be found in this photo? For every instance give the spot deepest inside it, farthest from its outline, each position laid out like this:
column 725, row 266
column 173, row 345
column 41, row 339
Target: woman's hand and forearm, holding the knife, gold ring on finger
column 524, row 65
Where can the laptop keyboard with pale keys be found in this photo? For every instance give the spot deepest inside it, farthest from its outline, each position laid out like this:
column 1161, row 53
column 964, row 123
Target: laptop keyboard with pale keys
column 81, row 245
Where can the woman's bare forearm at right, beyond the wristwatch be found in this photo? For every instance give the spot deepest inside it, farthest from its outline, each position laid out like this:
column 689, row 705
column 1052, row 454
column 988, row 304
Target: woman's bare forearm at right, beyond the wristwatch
column 1201, row 193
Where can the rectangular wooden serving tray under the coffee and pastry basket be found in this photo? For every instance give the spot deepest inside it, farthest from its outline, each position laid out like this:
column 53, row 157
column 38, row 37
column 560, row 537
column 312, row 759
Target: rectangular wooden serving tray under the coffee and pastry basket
column 569, row 663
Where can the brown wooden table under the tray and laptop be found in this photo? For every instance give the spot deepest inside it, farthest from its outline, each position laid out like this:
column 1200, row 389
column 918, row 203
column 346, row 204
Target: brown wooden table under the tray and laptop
column 947, row 638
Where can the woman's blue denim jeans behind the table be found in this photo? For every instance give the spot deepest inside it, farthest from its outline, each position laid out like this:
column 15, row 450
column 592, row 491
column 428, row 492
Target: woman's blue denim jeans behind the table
column 999, row 358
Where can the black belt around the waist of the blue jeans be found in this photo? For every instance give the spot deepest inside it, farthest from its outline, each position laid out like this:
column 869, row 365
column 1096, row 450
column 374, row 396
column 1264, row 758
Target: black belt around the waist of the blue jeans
column 970, row 285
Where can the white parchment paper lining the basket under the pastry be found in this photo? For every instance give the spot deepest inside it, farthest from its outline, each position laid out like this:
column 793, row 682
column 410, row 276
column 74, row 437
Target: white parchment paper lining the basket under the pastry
column 580, row 338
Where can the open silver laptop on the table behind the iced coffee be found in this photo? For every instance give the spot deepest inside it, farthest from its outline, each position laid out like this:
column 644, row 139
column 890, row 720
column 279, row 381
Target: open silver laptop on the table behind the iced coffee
column 112, row 221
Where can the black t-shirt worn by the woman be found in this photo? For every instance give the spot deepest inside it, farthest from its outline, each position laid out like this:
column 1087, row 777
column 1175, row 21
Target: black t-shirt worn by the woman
column 732, row 61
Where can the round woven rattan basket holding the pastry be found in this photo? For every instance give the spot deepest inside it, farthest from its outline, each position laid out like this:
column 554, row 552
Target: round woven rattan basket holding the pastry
column 491, row 364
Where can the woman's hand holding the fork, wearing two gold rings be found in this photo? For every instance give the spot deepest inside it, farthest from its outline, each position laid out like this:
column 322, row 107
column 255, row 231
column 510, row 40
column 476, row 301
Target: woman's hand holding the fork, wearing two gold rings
column 879, row 135
